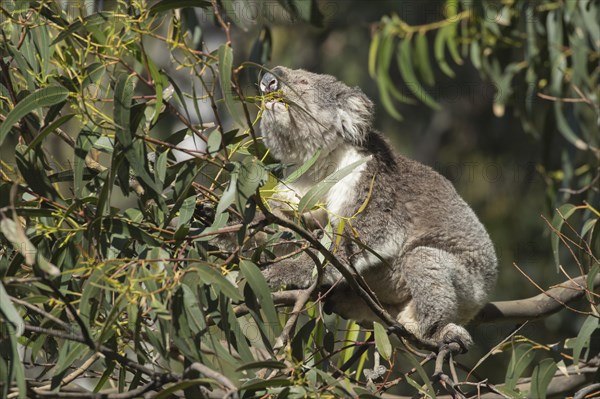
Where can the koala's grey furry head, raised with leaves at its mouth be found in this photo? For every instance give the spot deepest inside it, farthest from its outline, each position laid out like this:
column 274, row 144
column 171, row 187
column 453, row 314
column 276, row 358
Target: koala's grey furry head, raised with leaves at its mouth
column 305, row 111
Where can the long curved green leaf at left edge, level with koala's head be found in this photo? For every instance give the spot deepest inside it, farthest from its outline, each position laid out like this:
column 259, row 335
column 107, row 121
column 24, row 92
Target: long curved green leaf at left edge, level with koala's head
column 40, row 98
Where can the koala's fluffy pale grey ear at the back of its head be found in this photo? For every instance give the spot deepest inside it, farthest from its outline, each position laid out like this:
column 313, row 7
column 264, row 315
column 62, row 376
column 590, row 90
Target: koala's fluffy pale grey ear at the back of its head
column 355, row 112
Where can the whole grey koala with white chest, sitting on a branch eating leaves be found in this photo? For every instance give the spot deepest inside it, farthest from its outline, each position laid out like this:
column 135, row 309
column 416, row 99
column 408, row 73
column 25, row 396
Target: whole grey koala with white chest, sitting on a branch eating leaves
column 416, row 243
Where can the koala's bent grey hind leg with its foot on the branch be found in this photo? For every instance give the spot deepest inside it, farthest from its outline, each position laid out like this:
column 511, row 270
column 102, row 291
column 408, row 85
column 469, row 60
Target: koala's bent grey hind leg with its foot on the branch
column 435, row 279
